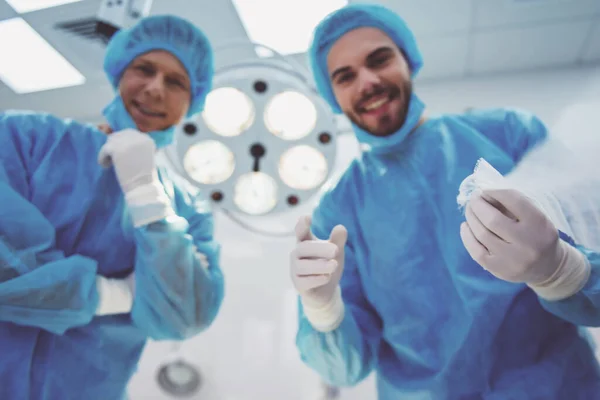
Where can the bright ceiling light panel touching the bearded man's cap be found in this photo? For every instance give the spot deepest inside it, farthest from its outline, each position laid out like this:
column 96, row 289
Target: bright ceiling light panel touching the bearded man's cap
column 285, row 26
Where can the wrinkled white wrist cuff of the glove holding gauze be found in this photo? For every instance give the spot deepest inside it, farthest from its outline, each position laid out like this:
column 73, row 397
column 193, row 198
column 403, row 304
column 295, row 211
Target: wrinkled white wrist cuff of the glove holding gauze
column 569, row 278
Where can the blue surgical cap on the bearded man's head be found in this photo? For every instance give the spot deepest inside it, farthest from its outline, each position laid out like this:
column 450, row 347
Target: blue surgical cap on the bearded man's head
column 349, row 18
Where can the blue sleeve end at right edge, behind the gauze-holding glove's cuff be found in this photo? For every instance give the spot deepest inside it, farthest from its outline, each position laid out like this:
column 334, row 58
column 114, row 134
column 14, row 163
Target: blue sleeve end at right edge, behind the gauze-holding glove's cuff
column 583, row 308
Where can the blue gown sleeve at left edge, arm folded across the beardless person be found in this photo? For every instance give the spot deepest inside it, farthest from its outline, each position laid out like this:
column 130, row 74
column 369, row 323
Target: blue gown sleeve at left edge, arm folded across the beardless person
column 39, row 285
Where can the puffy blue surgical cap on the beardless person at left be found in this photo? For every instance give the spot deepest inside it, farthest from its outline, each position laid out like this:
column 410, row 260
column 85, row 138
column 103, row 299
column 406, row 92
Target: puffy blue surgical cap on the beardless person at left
column 174, row 35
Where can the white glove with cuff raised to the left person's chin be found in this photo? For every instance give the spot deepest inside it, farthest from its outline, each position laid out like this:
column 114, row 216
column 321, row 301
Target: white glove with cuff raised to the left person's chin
column 132, row 154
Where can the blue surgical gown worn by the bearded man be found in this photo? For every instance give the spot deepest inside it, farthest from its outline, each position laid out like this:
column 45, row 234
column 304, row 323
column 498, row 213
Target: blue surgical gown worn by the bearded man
column 419, row 311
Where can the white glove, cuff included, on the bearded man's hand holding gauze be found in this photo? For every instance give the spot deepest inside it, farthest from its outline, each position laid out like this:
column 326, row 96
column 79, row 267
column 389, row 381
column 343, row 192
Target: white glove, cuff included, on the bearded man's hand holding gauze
column 511, row 238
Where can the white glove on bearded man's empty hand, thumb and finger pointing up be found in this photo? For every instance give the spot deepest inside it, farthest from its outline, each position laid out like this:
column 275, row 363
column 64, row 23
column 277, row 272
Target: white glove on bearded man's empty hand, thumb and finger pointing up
column 316, row 269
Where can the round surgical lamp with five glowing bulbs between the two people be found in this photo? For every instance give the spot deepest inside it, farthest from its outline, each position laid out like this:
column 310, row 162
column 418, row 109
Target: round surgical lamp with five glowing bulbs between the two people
column 265, row 142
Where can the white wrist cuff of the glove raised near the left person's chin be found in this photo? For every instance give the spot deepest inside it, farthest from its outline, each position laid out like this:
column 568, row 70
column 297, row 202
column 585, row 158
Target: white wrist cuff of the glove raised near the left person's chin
column 148, row 204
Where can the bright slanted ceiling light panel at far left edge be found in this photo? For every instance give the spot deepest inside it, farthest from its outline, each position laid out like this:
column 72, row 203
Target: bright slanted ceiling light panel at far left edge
column 30, row 64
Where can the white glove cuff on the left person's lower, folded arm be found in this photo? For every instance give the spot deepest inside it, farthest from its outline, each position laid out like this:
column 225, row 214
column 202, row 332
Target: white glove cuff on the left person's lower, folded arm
column 115, row 295
